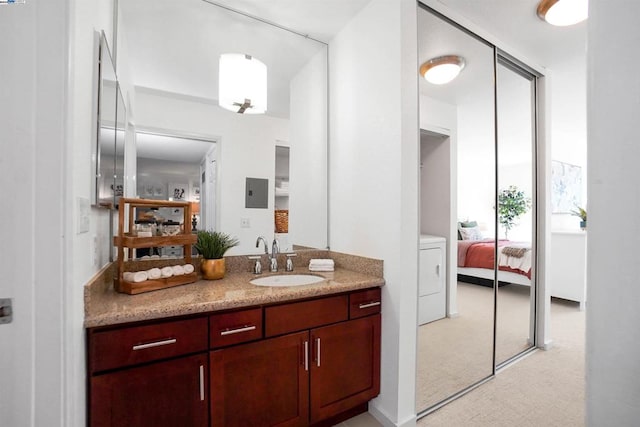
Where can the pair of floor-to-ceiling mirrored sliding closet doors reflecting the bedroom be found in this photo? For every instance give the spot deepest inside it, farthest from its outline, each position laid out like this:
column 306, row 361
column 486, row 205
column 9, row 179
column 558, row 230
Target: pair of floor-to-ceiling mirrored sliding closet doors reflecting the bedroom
column 477, row 199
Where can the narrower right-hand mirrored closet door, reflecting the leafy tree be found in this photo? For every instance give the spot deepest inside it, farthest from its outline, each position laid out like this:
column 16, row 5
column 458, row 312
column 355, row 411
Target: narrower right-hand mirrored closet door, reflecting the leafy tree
column 516, row 183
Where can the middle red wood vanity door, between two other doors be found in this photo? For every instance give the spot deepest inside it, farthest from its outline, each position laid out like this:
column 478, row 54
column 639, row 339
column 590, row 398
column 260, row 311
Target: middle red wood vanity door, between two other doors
column 265, row 383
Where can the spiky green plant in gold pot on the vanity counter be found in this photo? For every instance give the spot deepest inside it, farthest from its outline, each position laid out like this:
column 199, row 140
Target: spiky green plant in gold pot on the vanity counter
column 212, row 245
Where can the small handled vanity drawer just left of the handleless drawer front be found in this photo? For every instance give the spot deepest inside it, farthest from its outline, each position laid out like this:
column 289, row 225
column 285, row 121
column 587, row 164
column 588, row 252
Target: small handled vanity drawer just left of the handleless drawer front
column 233, row 328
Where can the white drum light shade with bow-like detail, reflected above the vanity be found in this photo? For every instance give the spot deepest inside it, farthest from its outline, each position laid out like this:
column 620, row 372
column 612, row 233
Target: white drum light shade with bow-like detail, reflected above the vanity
column 242, row 84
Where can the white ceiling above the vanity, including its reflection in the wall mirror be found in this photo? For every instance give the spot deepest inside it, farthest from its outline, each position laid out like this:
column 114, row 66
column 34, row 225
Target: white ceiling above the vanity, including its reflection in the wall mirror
column 174, row 46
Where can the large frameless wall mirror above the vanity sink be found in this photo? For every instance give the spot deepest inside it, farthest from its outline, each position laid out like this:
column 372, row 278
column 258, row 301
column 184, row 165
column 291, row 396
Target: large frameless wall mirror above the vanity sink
column 171, row 53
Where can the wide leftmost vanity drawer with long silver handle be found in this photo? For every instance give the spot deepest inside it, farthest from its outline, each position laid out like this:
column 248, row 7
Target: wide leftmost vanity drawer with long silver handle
column 137, row 344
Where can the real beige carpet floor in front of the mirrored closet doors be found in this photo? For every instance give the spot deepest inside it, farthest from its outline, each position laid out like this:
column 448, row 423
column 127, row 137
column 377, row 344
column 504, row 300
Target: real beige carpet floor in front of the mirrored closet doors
column 544, row 389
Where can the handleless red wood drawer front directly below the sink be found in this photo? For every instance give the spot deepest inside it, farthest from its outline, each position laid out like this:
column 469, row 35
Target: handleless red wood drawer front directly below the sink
column 285, row 318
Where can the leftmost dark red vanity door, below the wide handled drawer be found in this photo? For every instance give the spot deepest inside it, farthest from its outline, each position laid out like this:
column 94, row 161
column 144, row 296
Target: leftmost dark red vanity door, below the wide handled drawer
column 171, row 393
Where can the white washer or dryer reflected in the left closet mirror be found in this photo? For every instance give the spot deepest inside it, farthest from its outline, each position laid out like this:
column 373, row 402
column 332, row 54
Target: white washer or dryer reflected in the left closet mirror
column 432, row 279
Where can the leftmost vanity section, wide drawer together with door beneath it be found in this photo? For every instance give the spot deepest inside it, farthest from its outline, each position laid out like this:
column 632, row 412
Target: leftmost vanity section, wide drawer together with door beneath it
column 133, row 382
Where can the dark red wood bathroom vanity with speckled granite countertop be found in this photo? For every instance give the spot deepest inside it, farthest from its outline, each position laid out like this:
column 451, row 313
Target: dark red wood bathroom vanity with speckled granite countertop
column 228, row 353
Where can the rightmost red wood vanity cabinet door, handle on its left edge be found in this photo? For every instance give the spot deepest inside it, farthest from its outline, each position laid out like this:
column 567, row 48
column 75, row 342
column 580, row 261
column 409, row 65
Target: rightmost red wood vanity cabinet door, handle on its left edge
column 345, row 366
